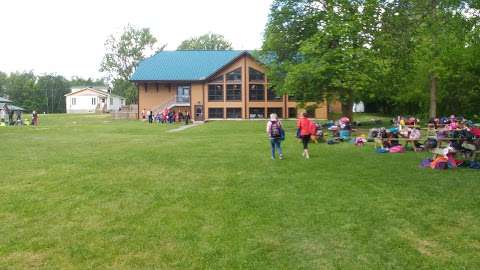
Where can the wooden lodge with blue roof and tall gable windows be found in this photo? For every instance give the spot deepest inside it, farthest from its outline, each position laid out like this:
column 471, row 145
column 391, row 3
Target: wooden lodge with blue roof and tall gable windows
column 211, row 85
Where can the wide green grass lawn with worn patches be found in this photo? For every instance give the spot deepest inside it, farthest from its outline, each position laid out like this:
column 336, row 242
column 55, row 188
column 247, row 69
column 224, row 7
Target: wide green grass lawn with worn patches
column 86, row 192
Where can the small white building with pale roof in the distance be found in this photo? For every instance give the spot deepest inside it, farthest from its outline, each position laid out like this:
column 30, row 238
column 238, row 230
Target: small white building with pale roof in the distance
column 92, row 100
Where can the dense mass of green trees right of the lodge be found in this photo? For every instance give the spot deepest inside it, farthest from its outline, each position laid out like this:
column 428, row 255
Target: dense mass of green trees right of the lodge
column 398, row 56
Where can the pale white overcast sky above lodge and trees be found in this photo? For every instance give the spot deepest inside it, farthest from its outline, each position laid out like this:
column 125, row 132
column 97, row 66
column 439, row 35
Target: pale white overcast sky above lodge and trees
column 67, row 37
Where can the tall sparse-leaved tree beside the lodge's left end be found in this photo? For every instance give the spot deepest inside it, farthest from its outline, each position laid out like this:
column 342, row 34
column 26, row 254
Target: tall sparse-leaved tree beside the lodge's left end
column 123, row 53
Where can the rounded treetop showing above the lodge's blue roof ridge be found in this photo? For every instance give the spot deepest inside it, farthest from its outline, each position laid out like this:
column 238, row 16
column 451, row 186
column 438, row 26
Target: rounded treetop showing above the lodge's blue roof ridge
column 209, row 41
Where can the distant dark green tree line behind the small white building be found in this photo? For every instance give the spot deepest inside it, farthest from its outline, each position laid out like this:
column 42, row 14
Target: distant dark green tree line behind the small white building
column 42, row 93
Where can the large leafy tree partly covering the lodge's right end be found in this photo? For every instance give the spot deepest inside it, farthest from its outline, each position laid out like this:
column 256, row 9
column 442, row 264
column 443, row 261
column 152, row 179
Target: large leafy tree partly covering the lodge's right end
column 333, row 57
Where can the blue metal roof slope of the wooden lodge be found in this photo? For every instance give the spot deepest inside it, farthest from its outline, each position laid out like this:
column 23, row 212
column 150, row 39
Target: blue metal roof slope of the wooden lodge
column 183, row 65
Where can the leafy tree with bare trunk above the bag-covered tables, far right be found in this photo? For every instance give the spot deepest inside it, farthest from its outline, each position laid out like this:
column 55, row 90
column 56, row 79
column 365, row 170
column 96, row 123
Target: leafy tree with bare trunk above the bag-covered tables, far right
column 424, row 43
